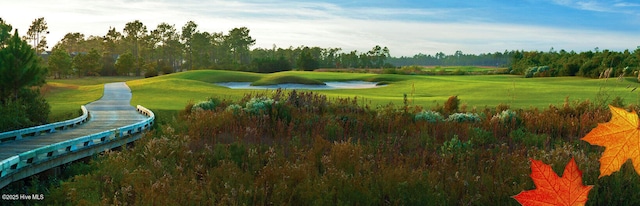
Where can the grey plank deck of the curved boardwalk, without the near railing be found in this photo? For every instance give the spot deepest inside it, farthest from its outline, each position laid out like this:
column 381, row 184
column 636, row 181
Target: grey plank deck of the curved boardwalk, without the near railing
column 113, row 110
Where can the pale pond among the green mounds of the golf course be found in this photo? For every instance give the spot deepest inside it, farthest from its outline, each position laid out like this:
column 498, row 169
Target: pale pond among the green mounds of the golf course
column 329, row 85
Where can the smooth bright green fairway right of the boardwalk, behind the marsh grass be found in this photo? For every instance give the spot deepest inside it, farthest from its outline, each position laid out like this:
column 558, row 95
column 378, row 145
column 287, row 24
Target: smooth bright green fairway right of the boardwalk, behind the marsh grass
column 172, row 92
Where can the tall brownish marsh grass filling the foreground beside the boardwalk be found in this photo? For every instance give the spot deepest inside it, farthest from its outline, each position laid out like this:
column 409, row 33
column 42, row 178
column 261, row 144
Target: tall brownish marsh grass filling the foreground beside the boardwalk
column 308, row 149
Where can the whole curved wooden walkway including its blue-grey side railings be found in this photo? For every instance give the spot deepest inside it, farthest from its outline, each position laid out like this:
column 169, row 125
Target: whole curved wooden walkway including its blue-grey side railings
column 111, row 123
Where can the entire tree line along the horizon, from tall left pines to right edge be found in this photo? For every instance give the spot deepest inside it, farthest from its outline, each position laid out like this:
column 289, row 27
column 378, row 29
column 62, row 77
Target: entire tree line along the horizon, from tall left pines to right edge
column 137, row 50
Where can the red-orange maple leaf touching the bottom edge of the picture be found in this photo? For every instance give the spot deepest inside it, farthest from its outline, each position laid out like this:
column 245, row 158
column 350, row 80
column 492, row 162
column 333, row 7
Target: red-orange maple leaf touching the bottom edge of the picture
column 554, row 190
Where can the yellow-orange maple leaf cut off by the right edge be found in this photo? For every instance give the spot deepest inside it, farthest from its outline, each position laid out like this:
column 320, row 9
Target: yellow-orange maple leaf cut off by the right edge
column 621, row 139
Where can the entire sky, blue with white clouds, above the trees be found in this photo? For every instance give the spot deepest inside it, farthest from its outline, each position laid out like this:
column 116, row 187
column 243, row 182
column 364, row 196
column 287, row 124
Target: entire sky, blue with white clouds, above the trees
column 406, row 27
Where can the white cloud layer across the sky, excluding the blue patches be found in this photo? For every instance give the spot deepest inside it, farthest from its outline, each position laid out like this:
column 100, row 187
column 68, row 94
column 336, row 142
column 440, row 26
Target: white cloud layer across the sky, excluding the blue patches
column 318, row 24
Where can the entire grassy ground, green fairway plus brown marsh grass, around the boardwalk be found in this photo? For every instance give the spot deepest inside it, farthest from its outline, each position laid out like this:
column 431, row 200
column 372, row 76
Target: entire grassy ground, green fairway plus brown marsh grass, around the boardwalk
column 305, row 150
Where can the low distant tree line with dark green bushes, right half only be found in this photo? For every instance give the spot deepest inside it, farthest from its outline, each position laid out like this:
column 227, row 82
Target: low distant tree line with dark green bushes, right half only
column 592, row 64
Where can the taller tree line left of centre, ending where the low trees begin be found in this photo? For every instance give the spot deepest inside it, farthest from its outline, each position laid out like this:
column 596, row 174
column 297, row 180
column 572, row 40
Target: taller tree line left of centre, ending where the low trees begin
column 136, row 50
